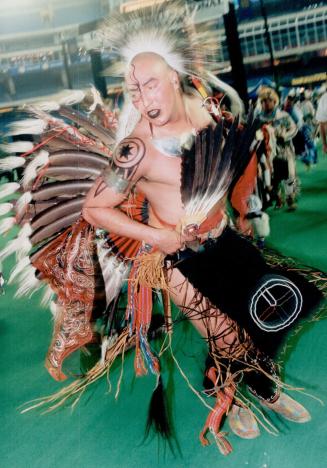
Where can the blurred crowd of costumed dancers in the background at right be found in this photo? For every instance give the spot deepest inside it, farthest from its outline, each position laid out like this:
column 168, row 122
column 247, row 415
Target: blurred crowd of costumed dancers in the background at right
column 289, row 130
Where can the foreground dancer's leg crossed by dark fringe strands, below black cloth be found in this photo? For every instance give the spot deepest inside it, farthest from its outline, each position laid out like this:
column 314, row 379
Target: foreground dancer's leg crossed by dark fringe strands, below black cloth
column 231, row 349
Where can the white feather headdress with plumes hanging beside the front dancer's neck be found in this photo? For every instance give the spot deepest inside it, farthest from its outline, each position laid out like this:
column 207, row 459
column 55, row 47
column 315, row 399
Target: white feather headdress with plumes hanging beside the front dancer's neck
column 169, row 31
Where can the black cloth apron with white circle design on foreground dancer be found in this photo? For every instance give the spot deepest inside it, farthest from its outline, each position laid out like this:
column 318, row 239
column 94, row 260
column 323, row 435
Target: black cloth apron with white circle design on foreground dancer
column 231, row 272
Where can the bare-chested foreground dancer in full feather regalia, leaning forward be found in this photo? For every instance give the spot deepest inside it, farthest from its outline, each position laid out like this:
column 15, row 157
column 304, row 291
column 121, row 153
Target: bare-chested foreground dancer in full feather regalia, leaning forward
column 159, row 201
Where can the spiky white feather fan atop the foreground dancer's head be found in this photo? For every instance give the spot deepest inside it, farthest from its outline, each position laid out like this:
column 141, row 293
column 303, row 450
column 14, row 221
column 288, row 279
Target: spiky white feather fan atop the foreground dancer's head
column 168, row 32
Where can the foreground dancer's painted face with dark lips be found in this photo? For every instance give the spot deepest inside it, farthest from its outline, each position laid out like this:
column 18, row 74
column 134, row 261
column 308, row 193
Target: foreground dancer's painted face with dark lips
column 153, row 88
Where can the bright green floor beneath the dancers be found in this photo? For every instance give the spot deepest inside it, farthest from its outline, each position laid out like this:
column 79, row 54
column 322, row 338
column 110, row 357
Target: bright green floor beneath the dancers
column 102, row 432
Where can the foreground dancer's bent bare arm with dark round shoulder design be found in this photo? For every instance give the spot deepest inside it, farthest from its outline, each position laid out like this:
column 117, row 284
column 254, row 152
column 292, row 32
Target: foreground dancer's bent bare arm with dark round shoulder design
column 101, row 204
